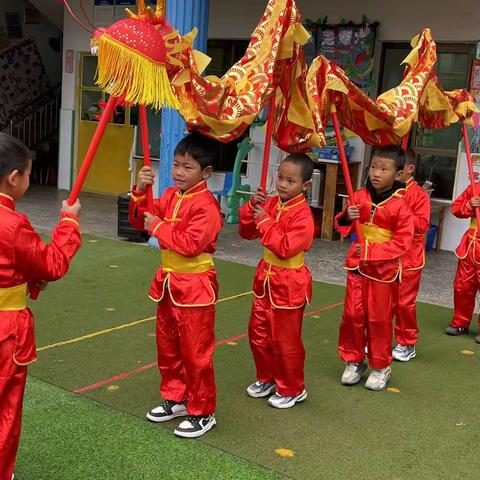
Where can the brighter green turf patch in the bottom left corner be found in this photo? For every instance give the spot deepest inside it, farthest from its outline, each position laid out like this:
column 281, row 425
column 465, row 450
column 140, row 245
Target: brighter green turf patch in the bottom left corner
column 66, row 436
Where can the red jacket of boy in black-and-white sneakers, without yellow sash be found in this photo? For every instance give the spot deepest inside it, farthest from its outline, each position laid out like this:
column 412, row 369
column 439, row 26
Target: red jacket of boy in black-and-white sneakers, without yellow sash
column 188, row 225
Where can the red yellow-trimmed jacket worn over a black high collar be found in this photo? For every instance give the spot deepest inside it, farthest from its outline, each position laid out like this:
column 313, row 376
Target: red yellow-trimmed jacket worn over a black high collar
column 379, row 261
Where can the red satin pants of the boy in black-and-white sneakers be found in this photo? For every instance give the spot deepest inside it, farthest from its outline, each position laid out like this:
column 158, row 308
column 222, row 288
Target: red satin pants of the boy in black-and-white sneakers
column 185, row 346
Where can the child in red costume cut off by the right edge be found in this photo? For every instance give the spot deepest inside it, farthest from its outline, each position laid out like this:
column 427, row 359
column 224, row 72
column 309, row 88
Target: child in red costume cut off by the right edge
column 467, row 278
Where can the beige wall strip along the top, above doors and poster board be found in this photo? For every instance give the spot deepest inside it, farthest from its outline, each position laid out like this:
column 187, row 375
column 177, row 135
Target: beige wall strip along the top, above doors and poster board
column 449, row 21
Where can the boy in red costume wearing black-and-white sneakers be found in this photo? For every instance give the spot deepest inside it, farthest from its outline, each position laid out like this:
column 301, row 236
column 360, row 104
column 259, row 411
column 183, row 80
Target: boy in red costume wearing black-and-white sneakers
column 186, row 223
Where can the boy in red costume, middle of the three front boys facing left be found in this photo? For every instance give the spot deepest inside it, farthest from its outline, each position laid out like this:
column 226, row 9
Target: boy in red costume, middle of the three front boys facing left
column 283, row 283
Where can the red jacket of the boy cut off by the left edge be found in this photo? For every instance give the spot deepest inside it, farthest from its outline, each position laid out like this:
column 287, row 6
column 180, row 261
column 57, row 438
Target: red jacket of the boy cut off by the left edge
column 25, row 258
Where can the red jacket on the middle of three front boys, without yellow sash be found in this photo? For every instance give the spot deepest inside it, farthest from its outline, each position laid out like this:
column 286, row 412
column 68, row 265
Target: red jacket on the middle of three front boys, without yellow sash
column 286, row 230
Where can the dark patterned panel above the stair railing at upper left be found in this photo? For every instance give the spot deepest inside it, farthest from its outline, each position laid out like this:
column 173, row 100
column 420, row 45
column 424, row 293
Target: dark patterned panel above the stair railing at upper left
column 23, row 81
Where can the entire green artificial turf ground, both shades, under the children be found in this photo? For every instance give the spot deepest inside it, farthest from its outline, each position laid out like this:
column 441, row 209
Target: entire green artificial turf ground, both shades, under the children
column 424, row 427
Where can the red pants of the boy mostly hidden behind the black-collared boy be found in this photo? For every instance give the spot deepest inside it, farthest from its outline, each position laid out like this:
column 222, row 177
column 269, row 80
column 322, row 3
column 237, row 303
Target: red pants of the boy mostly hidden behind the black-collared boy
column 406, row 327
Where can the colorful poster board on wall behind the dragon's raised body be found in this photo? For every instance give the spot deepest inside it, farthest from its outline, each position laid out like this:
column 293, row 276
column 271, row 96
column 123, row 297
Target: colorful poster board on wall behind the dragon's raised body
column 351, row 47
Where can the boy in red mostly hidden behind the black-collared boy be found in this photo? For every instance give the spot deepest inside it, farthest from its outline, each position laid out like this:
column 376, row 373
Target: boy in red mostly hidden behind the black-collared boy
column 406, row 327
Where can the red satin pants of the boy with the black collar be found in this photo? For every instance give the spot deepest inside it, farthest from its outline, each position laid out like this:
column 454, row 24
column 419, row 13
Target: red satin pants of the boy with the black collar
column 367, row 319
